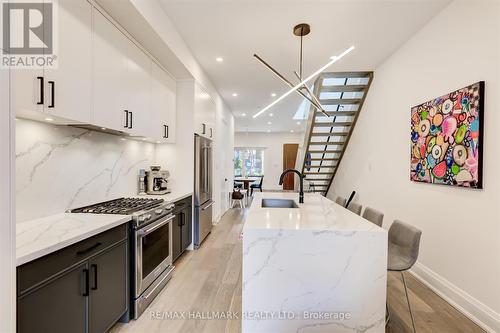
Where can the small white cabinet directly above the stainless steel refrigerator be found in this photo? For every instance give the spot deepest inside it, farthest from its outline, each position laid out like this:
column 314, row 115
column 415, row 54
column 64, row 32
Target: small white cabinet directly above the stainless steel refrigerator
column 204, row 113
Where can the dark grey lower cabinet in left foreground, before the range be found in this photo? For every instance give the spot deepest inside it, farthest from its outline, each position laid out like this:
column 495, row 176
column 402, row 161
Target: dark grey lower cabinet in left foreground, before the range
column 80, row 289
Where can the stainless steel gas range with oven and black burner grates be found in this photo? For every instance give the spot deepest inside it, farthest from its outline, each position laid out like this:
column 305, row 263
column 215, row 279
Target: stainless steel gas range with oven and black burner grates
column 150, row 248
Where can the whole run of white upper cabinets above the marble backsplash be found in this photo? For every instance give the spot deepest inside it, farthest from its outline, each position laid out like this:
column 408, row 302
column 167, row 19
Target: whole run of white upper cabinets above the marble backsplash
column 102, row 79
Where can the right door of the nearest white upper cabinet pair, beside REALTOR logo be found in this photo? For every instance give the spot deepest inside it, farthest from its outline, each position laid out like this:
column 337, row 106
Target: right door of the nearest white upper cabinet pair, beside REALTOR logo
column 68, row 88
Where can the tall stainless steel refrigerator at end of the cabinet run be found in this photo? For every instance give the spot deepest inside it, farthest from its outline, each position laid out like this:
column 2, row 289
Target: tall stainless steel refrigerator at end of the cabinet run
column 202, row 189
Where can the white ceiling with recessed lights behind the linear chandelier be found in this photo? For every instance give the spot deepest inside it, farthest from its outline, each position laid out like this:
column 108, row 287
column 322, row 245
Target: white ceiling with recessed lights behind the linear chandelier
column 236, row 29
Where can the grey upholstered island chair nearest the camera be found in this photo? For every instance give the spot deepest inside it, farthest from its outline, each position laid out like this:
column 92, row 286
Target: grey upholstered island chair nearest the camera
column 404, row 245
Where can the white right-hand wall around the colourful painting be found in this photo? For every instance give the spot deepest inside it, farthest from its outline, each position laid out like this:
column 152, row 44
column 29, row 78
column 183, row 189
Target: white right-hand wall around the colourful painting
column 460, row 249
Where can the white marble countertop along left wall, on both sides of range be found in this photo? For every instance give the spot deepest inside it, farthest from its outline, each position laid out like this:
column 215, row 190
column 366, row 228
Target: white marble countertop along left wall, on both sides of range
column 39, row 237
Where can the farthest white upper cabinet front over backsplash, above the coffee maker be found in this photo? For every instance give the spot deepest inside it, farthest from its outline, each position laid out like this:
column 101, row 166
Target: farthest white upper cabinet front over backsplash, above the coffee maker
column 163, row 105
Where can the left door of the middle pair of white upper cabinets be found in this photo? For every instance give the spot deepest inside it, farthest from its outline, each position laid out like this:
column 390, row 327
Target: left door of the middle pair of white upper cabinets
column 110, row 69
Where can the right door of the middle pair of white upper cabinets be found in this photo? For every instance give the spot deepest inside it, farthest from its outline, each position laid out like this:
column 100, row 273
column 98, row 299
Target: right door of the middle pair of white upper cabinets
column 139, row 90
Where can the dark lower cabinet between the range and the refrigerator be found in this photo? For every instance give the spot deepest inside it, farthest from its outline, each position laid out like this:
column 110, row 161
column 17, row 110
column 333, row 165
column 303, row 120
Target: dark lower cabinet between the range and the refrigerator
column 182, row 228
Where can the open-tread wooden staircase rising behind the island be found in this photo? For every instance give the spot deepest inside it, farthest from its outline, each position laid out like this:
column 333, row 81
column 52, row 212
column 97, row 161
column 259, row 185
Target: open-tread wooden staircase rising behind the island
column 342, row 96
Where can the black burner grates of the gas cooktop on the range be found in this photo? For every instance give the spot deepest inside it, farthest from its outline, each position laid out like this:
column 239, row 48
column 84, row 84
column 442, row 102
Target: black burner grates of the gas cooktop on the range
column 122, row 206
